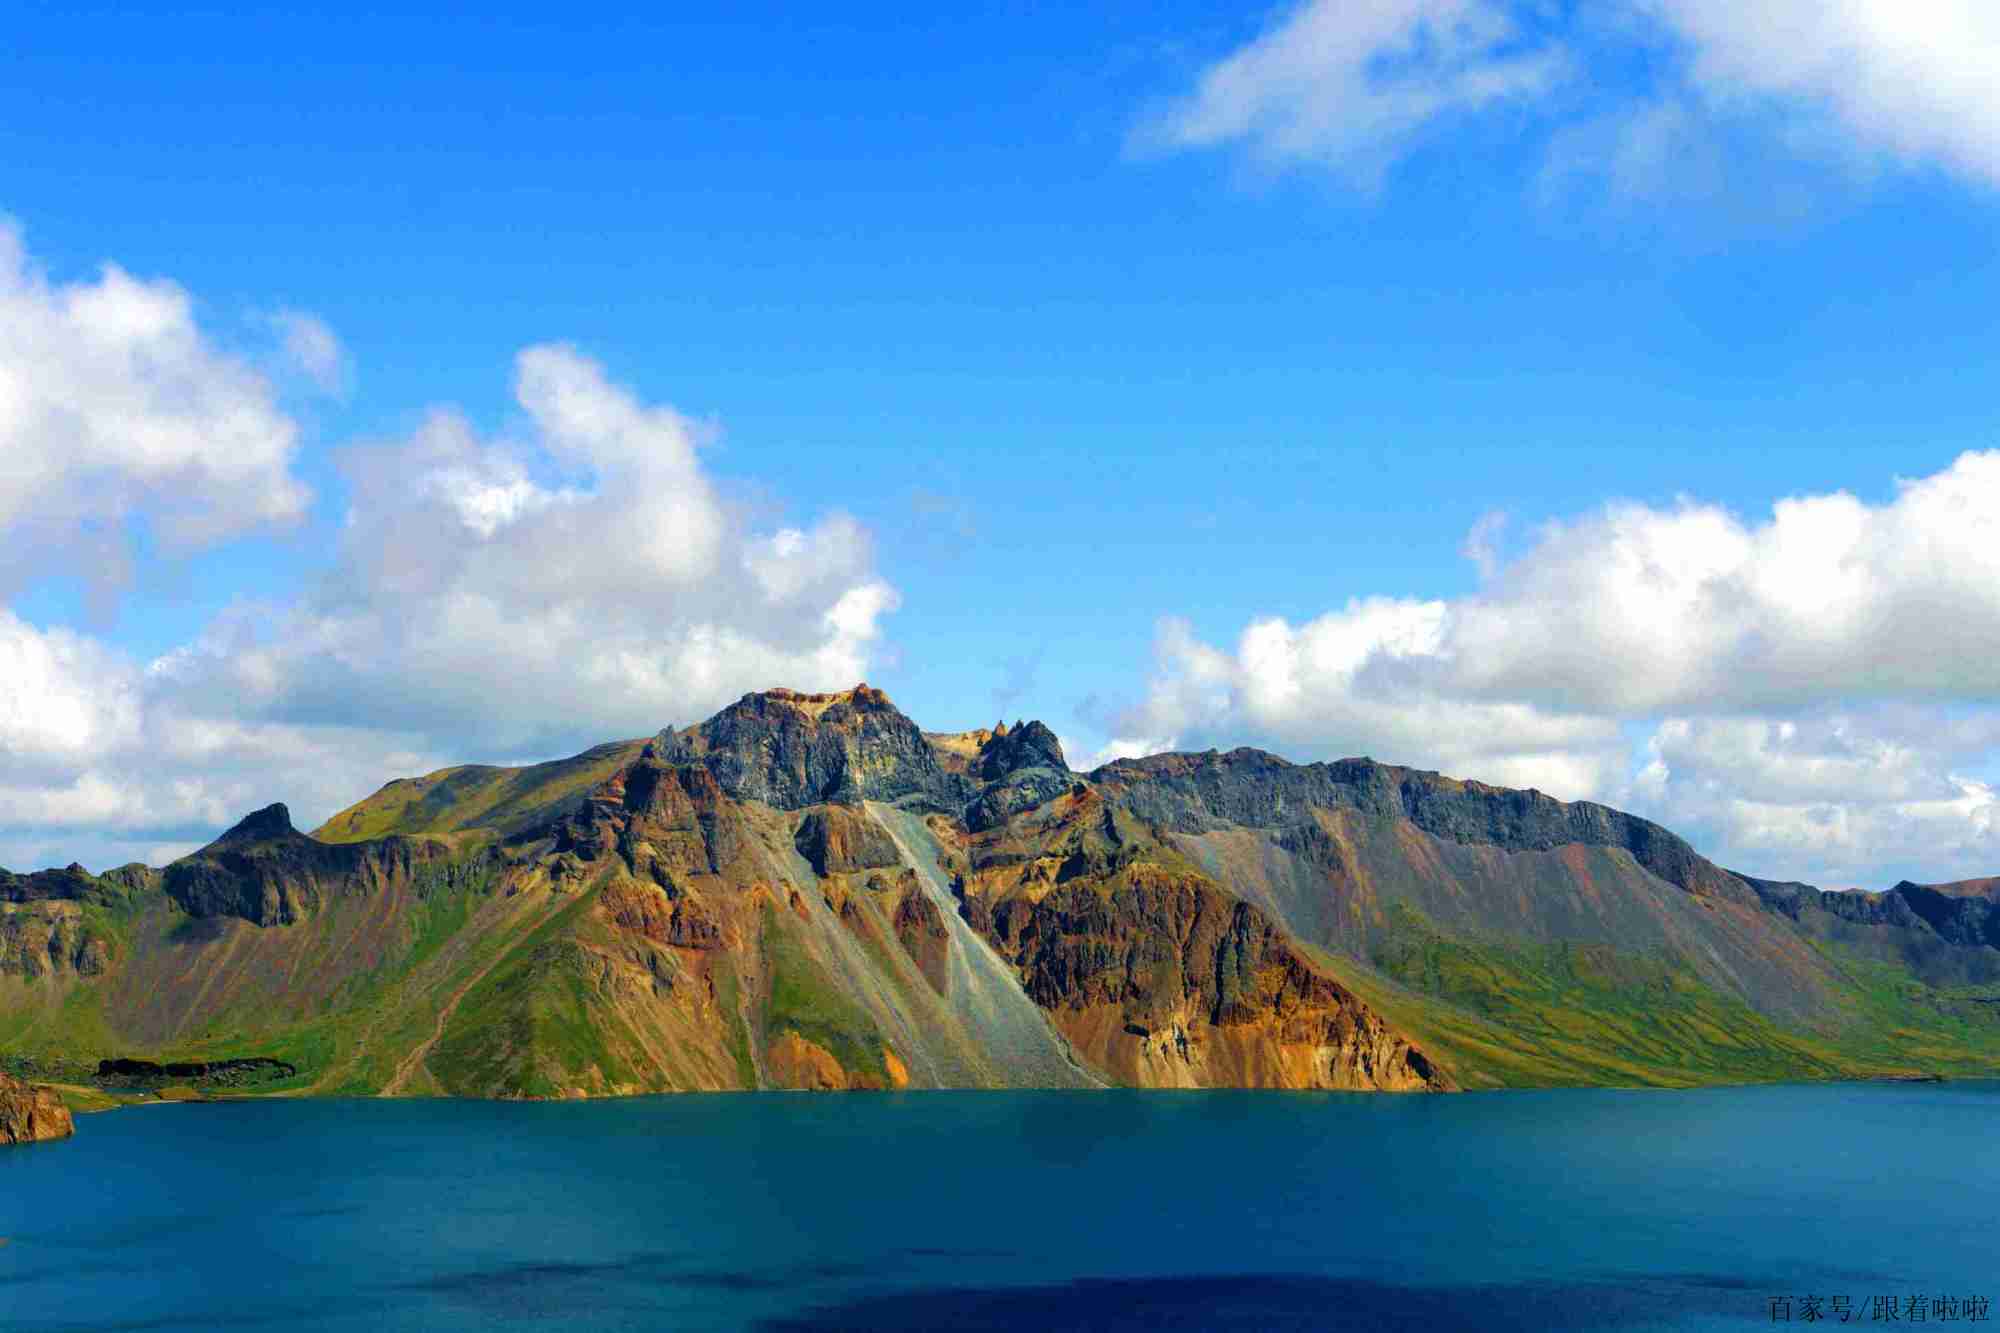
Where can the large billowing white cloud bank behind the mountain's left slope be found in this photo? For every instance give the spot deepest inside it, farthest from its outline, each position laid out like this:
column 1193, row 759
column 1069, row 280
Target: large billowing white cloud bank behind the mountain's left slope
column 491, row 597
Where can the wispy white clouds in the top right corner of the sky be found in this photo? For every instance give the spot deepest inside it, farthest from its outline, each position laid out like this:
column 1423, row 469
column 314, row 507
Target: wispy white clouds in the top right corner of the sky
column 1637, row 87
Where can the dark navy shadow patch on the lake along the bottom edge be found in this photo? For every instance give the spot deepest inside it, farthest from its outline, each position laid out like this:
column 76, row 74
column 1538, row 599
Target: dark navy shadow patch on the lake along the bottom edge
column 1271, row 1302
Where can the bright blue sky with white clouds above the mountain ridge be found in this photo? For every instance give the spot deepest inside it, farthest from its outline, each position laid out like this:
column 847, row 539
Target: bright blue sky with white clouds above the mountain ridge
column 1585, row 397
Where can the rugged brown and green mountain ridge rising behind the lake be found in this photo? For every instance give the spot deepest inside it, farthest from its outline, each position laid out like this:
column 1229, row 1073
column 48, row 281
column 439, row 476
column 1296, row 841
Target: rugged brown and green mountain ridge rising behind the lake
column 811, row 892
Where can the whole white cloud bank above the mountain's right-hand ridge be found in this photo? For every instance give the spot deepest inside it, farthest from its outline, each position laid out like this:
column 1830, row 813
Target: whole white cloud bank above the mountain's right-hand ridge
column 1811, row 692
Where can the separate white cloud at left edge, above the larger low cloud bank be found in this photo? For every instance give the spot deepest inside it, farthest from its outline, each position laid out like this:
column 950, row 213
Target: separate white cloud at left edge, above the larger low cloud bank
column 115, row 405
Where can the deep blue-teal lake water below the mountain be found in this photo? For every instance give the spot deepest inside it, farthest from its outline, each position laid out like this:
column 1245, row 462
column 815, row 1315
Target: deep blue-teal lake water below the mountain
column 1009, row 1210
